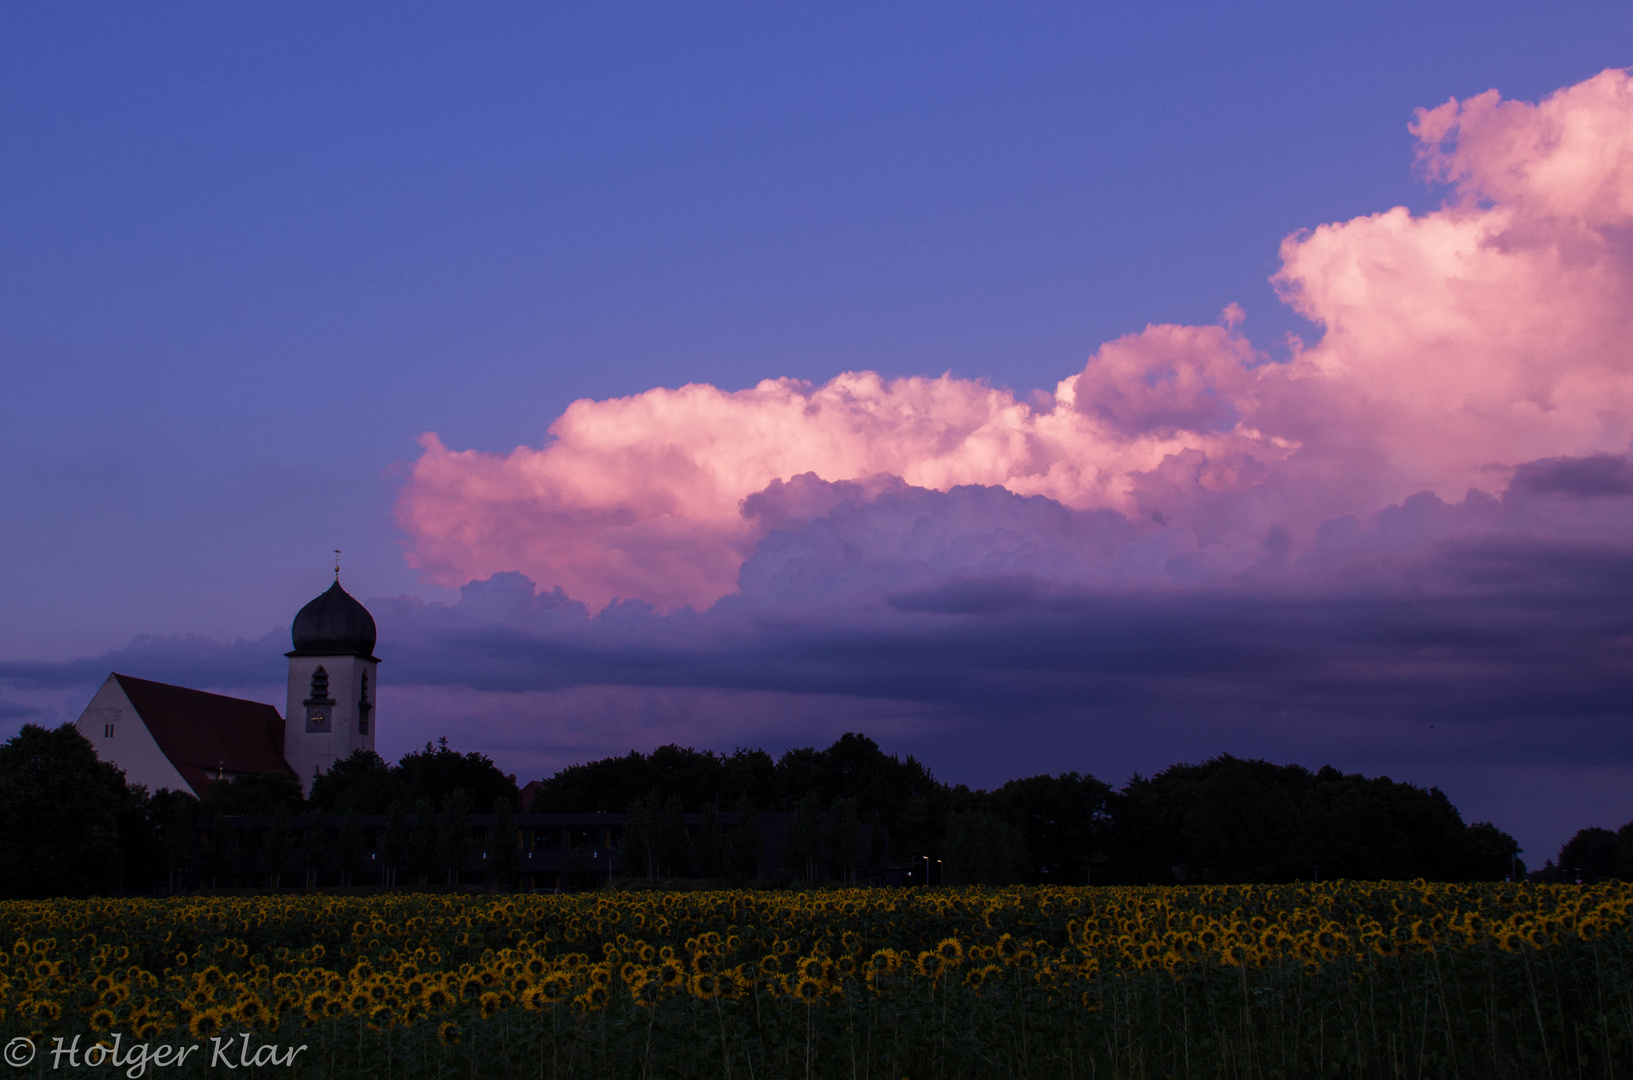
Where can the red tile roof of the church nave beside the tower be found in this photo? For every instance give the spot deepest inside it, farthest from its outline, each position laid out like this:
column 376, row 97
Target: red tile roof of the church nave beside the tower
column 208, row 736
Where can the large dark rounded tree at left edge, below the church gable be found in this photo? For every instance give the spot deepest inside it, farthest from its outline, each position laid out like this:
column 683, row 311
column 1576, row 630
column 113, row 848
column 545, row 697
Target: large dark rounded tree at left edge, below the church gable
column 60, row 816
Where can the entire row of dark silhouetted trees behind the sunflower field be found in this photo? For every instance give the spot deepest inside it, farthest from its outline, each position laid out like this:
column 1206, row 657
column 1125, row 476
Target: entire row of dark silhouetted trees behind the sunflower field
column 73, row 826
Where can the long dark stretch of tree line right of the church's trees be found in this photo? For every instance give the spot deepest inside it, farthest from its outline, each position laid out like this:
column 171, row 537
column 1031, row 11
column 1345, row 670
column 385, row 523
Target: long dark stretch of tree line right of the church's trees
column 1226, row 819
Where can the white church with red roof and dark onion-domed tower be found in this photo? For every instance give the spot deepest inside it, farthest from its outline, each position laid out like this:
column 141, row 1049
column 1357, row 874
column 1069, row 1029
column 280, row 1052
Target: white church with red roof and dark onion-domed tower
column 184, row 739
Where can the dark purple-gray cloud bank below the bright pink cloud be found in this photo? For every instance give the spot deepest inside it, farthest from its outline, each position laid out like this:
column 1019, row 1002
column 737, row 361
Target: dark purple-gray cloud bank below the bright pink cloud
column 1474, row 638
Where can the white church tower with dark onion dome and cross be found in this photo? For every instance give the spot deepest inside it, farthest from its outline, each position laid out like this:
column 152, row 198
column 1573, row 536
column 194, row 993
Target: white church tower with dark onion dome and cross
column 332, row 684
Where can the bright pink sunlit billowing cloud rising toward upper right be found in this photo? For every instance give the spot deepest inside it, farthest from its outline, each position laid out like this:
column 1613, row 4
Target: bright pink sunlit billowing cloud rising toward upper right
column 1456, row 346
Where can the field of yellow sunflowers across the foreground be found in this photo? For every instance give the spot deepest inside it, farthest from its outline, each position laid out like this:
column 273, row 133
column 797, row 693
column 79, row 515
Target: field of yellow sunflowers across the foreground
column 1345, row 980
